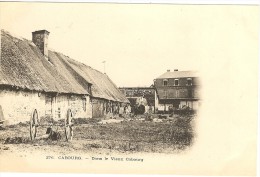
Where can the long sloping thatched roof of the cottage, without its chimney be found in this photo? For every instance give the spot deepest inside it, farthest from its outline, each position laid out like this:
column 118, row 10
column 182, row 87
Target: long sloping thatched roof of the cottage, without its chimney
column 24, row 66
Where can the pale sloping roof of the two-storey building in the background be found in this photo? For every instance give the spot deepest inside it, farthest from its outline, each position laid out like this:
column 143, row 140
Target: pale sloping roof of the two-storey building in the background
column 178, row 74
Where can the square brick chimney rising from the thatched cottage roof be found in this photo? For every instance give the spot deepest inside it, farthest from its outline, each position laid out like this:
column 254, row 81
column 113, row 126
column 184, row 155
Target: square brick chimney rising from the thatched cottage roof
column 40, row 39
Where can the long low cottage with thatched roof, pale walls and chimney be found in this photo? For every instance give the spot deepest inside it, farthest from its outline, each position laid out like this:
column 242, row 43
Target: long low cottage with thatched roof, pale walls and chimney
column 32, row 76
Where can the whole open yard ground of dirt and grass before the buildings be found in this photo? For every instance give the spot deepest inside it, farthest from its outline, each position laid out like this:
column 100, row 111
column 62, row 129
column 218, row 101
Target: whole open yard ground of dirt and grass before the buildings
column 96, row 136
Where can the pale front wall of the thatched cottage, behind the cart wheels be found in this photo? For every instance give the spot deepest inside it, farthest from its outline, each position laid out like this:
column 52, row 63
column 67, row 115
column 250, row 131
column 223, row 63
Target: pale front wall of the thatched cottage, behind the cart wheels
column 18, row 106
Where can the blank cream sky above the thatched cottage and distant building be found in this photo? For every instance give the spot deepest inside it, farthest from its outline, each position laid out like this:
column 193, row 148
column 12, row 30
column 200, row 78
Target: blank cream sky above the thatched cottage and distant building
column 139, row 42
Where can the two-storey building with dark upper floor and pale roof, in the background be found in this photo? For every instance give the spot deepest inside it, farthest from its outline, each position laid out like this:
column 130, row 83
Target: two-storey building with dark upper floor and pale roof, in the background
column 177, row 90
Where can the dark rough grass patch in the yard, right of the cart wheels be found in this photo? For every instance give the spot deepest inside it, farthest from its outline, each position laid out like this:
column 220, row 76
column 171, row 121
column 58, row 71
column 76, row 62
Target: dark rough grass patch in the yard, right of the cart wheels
column 140, row 136
